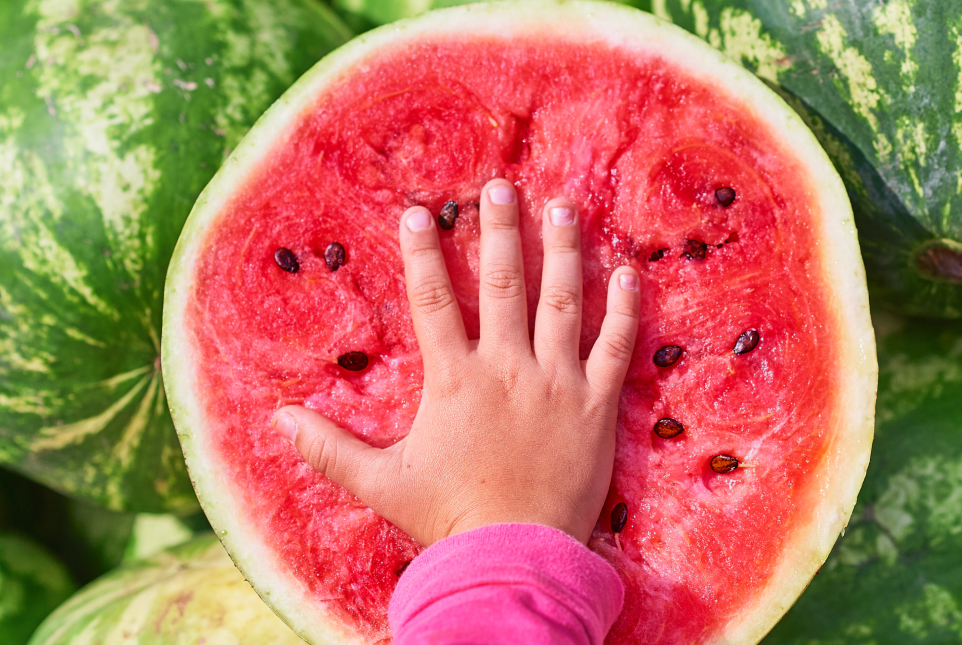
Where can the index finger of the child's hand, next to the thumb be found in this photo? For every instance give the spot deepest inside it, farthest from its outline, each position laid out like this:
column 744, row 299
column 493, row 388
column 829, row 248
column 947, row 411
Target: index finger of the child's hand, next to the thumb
column 434, row 308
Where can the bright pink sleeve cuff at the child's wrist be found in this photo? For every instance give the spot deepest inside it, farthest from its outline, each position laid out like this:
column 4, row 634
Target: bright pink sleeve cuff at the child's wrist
column 506, row 583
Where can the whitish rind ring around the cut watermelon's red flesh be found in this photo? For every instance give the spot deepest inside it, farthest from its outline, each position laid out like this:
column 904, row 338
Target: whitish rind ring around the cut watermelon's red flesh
column 840, row 475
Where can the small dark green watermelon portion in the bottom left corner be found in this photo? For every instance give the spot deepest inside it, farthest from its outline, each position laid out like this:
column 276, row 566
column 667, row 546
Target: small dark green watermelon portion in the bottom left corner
column 32, row 584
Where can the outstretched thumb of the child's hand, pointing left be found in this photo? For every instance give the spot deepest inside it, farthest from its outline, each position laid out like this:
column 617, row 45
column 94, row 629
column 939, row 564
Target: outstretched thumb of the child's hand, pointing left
column 332, row 450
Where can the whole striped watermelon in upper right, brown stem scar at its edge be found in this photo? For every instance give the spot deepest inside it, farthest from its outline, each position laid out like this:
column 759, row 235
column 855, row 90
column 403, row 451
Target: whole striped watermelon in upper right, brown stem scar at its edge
column 882, row 84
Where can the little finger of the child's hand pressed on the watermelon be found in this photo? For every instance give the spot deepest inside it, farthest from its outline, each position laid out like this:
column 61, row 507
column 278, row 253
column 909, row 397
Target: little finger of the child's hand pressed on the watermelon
column 608, row 362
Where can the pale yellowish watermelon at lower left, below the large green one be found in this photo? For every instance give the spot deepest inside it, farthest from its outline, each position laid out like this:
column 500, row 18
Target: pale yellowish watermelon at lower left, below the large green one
column 188, row 594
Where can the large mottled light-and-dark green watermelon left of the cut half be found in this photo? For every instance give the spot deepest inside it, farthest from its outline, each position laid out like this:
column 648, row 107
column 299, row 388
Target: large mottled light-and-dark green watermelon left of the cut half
column 114, row 114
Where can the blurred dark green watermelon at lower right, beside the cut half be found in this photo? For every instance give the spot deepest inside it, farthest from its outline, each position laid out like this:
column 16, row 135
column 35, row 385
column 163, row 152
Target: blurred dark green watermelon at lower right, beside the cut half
column 895, row 577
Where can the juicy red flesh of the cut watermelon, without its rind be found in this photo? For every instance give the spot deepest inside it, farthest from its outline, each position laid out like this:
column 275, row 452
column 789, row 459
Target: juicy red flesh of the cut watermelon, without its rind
column 641, row 147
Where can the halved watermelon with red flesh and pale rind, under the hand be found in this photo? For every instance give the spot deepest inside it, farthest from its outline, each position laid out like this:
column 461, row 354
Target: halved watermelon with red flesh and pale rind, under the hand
column 641, row 125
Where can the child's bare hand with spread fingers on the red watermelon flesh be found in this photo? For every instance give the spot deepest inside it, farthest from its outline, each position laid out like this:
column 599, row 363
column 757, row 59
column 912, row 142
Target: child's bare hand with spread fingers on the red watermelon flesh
column 508, row 430
